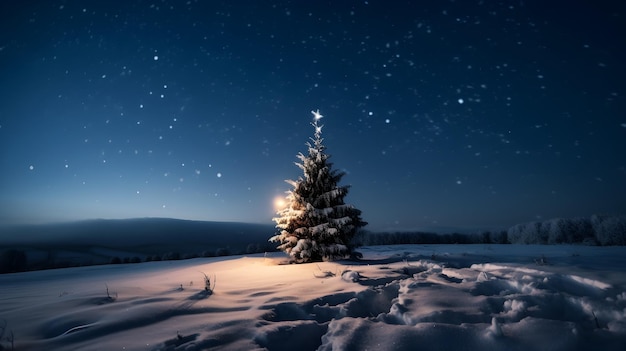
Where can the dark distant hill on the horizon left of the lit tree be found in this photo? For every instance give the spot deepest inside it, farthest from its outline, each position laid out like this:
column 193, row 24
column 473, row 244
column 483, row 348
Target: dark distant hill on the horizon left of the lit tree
column 102, row 241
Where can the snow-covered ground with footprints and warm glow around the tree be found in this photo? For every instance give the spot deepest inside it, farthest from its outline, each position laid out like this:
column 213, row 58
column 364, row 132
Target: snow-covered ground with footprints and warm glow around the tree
column 413, row 297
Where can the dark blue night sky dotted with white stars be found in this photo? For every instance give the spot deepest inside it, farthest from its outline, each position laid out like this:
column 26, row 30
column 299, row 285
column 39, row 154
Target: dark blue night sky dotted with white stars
column 443, row 114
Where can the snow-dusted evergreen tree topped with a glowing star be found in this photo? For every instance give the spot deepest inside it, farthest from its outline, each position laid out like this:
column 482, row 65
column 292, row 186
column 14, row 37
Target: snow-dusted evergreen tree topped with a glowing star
column 315, row 224
